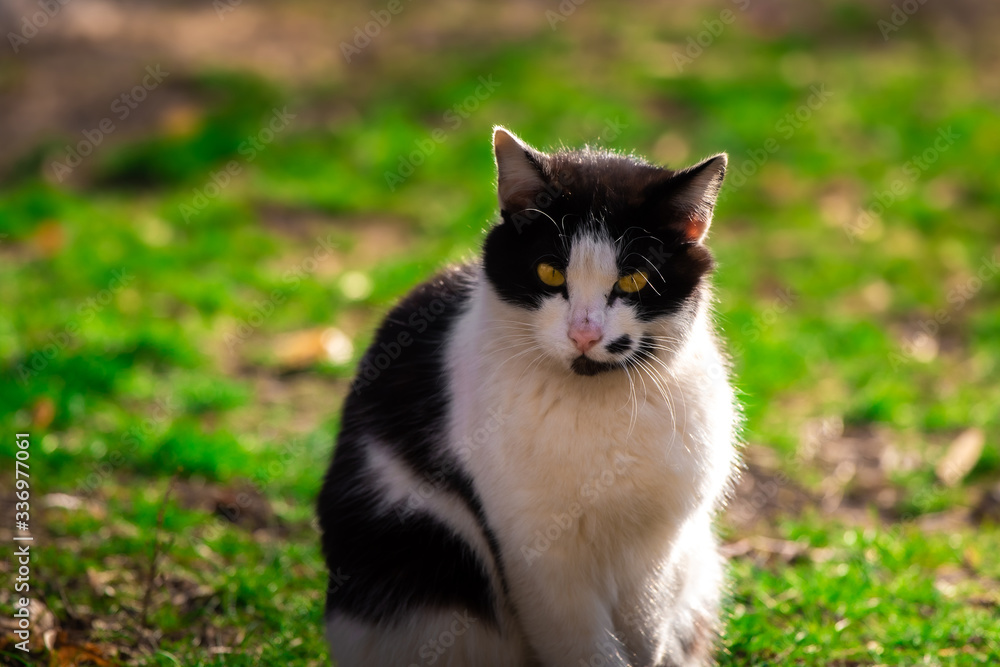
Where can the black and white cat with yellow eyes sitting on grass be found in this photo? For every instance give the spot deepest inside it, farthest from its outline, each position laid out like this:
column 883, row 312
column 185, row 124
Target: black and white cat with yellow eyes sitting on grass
column 535, row 445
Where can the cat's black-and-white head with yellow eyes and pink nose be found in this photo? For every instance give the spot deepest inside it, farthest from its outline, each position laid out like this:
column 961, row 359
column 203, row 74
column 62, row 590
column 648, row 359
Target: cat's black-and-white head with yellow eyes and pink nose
column 602, row 255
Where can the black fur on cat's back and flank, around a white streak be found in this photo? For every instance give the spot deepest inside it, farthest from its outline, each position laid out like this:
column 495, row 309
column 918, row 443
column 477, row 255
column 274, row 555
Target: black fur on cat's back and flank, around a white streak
column 389, row 563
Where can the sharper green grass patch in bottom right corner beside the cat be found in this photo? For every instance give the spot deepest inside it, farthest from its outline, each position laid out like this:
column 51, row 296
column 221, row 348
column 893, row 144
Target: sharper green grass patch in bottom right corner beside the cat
column 873, row 602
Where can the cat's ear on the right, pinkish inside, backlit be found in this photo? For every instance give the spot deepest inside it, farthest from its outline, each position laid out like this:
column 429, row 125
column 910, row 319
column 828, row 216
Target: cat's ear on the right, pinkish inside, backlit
column 690, row 195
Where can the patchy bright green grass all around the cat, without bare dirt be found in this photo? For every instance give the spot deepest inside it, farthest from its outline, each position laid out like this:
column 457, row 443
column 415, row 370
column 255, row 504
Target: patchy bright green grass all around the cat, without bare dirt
column 151, row 332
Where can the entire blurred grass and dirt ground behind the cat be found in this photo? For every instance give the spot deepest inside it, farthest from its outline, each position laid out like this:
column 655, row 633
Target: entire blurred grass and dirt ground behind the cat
column 181, row 308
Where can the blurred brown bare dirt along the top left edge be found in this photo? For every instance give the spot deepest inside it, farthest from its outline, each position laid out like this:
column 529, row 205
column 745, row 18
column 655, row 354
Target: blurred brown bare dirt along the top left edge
column 64, row 79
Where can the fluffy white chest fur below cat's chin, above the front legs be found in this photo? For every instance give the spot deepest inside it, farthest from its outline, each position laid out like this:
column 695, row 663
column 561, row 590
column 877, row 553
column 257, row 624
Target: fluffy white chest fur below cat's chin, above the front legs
column 586, row 466
